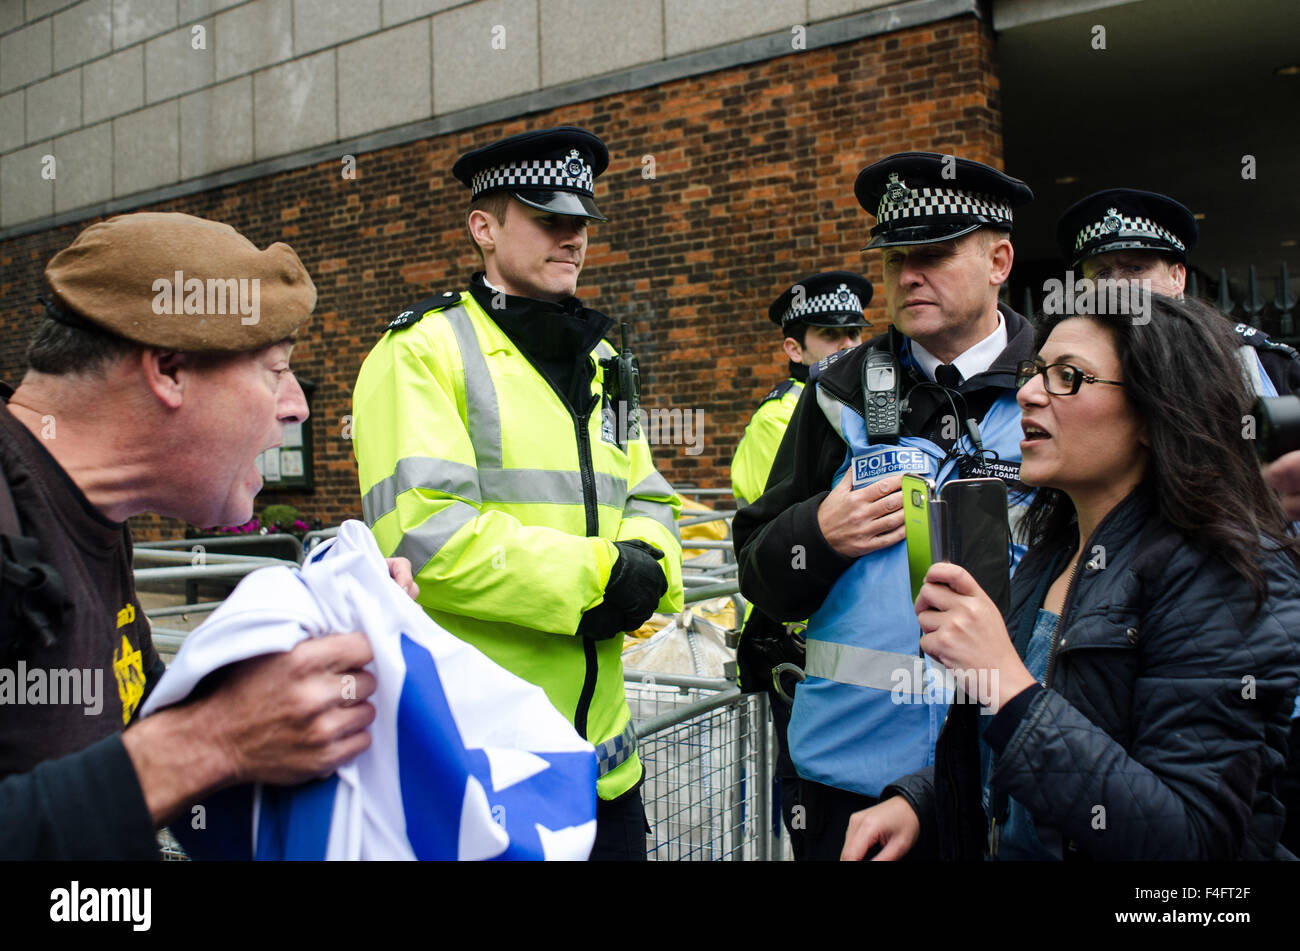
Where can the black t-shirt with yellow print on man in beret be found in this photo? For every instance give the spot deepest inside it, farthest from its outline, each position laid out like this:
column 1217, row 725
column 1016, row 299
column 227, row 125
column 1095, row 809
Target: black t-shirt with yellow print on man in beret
column 60, row 700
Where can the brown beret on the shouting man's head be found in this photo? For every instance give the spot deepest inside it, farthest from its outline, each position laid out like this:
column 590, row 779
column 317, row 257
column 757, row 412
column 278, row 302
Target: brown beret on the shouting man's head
column 180, row 283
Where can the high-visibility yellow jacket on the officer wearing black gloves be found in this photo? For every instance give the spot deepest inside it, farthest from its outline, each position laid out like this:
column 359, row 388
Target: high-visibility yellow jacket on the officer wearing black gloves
column 508, row 506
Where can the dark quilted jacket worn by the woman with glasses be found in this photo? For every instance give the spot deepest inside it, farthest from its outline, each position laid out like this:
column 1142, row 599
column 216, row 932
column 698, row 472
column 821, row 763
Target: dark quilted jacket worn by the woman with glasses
column 1168, row 706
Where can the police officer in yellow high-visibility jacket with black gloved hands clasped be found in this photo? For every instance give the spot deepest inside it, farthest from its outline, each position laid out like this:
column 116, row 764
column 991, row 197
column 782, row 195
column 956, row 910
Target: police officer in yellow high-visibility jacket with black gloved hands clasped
column 493, row 455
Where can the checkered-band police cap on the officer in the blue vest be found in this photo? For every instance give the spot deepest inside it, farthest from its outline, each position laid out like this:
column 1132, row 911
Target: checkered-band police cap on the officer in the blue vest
column 921, row 198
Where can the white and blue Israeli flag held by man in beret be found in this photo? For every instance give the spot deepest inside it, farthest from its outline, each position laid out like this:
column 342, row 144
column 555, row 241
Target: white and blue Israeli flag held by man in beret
column 466, row 759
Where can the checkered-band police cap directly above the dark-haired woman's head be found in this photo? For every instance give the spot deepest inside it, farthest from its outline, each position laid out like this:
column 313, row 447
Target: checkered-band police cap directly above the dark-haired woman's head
column 1126, row 220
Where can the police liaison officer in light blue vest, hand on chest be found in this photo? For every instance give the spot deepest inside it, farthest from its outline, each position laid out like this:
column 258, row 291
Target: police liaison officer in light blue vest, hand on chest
column 817, row 546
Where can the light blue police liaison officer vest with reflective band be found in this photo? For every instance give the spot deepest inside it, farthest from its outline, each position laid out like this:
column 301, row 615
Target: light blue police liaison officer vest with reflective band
column 872, row 706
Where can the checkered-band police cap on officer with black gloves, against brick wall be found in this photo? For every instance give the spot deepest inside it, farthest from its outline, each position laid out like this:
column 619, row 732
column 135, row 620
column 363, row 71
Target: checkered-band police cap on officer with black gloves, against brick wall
column 552, row 170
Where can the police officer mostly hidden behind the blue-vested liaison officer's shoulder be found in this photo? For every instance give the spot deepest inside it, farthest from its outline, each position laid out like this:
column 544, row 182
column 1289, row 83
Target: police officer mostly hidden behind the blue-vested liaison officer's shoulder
column 818, row 316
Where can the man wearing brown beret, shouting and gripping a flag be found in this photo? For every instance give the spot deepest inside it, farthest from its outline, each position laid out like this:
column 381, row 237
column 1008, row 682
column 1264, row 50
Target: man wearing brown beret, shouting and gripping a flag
column 157, row 379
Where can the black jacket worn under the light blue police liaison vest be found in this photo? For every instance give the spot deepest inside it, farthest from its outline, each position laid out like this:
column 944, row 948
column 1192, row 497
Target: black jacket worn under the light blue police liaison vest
column 786, row 566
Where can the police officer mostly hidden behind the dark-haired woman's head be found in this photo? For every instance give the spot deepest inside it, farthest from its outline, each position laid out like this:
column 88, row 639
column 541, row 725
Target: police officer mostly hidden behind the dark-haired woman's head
column 1125, row 235
